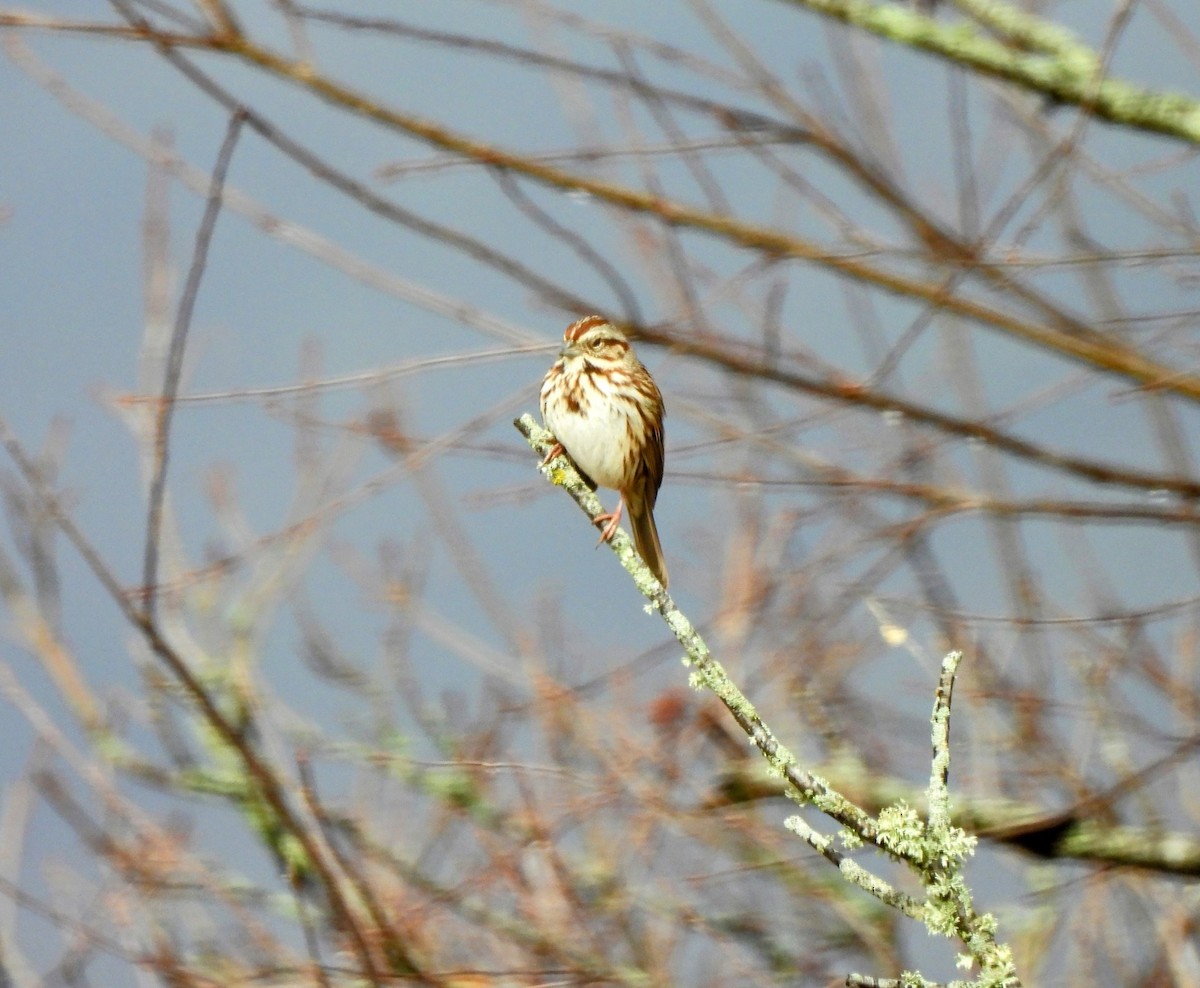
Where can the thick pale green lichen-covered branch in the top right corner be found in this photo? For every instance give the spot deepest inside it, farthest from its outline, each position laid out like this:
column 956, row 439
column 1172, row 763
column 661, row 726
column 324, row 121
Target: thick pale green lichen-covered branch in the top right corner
column 1060, row 68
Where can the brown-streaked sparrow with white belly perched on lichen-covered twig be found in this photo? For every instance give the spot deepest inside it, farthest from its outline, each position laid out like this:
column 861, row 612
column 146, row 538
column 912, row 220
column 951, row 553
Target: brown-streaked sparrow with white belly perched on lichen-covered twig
column 607, row 412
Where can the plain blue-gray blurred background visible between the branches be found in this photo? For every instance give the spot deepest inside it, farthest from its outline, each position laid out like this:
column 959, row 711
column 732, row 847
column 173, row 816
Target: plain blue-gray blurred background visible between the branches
column 73, row 320
